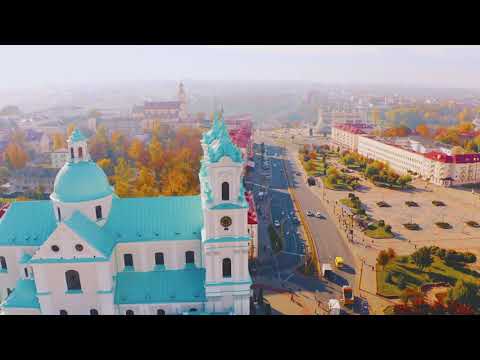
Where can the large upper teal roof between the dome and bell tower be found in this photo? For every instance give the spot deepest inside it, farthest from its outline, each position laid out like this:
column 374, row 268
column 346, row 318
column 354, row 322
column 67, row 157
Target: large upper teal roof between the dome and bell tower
column 159, row 218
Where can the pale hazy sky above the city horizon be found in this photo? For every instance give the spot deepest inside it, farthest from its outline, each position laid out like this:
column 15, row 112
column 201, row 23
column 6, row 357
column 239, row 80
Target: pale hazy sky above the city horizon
column 438, row 66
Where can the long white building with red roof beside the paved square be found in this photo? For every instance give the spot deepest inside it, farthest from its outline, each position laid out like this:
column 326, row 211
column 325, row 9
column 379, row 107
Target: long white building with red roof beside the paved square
column 430, row 161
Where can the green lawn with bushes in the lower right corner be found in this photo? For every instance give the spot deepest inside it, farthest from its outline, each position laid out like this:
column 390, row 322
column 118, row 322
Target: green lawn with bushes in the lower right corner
column 414, row 277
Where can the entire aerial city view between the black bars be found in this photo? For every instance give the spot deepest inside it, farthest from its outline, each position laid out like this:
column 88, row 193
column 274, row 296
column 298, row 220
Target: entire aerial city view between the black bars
column 239, row 180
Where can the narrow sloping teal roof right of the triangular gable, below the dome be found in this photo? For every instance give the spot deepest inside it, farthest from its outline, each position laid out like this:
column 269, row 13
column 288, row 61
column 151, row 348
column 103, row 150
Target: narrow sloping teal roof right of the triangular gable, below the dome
column 95, row 235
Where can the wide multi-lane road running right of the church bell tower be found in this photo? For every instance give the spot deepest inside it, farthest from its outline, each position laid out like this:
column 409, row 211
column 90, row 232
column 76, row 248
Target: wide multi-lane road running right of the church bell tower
column 328, row 241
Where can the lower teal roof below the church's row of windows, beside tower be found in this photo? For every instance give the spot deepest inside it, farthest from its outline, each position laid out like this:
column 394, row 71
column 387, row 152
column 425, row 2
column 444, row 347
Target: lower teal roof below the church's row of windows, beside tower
column 160, row 286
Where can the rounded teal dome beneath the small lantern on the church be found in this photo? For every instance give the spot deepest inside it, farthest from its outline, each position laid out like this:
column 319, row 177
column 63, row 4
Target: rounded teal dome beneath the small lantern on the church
column 82, row 181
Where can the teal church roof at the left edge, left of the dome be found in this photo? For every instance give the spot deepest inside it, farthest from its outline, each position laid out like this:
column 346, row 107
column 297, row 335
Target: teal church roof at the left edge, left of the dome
column 27, row 223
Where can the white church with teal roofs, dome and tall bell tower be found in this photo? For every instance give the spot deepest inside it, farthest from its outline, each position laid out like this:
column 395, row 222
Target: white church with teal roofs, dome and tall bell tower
column 87, row 251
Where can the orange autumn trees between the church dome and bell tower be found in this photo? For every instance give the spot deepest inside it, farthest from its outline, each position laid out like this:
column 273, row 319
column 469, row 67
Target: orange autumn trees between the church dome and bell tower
column 168, row 164
